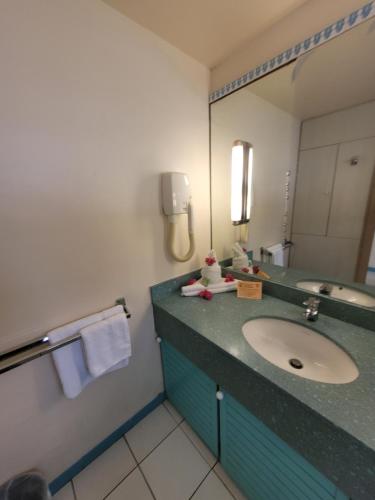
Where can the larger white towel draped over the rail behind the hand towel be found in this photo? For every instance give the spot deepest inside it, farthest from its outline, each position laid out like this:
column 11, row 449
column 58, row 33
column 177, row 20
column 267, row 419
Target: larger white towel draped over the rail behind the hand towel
column 69, row 360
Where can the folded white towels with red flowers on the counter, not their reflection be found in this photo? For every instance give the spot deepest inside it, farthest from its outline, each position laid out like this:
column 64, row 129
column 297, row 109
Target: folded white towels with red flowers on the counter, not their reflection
column 211, row 281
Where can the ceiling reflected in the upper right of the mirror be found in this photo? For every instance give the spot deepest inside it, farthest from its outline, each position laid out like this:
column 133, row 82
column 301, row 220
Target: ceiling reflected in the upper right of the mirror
column 336, row 75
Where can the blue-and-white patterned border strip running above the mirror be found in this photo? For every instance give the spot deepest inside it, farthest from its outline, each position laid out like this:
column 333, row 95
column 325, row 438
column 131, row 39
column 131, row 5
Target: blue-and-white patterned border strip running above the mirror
column 331, row 31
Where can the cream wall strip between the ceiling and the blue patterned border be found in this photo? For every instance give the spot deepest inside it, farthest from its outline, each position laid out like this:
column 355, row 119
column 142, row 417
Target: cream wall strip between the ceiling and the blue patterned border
column 311, row 17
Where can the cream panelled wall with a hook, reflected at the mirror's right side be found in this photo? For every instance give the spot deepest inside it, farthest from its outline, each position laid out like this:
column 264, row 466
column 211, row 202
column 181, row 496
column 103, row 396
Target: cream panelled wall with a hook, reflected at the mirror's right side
column 335, row 168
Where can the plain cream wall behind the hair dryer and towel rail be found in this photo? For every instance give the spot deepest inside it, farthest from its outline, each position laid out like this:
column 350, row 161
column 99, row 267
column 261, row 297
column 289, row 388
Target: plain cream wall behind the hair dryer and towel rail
column 92, row 109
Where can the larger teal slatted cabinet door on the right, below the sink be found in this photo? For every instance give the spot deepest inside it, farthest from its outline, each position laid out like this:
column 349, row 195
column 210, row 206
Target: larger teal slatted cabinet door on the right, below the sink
column 262, row 465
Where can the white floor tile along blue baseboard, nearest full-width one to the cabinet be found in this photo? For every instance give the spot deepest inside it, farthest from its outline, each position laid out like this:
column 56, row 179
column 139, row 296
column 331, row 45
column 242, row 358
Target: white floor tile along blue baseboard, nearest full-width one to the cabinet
column 150, row 432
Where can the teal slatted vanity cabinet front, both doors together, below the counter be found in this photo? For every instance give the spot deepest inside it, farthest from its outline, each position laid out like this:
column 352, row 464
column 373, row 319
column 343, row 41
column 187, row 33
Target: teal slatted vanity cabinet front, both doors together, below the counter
column 263, row 466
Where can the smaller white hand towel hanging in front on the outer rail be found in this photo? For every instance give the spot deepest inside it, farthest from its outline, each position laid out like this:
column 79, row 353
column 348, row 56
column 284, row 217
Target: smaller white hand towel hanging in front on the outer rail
column 106, row 344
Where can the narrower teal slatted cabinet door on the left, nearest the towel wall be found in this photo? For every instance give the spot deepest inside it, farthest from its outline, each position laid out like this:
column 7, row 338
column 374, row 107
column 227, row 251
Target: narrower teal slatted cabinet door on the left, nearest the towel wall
column 192, row 393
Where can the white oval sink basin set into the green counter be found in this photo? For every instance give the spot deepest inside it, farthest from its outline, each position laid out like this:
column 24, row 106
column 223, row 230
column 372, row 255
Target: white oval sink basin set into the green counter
column 300, row 350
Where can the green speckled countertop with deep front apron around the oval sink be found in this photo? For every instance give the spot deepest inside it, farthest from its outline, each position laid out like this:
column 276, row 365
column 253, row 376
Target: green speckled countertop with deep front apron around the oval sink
column 340, row 418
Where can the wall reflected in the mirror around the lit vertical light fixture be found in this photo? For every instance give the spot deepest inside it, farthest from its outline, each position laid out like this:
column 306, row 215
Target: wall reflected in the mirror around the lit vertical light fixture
column 274, row 134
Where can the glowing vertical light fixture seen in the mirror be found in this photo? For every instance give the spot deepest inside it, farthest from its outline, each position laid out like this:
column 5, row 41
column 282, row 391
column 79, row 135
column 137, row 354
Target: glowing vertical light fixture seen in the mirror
column 242, row 178
